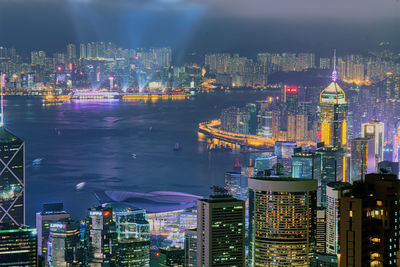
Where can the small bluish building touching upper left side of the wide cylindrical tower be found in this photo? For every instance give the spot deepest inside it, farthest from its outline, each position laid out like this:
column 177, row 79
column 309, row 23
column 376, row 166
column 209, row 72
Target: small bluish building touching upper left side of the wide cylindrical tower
column 236, row 185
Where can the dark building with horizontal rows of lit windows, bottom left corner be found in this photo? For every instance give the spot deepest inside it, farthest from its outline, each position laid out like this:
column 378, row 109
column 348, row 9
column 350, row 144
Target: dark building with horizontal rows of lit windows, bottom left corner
column 18, row 246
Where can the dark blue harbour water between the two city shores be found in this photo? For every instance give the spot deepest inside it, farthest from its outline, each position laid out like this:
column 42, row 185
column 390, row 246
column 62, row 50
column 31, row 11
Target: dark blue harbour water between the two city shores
column 97, row 139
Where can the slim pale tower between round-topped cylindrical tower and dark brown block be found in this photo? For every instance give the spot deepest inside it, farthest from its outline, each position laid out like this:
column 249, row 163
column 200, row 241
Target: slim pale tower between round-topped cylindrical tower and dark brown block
column 334, row 193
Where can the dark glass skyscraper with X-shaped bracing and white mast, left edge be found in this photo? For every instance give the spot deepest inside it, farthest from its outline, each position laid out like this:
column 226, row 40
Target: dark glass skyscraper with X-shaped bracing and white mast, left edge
column 12, row 173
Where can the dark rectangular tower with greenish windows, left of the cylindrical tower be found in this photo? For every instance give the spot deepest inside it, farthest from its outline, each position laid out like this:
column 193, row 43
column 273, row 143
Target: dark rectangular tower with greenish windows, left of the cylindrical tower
column 220, row 230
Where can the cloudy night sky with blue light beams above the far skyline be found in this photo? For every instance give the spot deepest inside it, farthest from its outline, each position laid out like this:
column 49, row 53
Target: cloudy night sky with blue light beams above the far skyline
column 244, row 26
